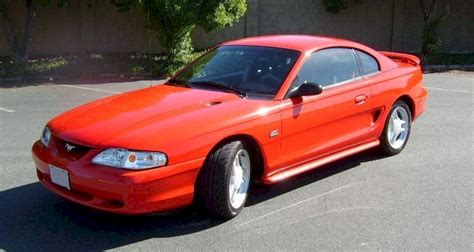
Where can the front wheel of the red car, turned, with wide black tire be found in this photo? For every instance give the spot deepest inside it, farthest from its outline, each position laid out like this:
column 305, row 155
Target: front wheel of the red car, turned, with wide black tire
column 219, row 174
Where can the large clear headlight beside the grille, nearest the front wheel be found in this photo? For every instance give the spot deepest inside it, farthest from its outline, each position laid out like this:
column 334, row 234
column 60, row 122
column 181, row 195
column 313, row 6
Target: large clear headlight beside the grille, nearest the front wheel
column 133, row 160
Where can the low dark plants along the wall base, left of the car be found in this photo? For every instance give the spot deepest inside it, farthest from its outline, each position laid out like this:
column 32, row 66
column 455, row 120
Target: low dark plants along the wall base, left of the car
column 91, row 66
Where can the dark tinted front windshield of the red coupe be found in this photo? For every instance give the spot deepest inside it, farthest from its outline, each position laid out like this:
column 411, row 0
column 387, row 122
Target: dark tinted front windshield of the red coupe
column 252, row 70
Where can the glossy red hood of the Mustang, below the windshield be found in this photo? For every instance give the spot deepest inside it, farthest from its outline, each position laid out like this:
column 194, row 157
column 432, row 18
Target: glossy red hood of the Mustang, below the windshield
column 147, row 118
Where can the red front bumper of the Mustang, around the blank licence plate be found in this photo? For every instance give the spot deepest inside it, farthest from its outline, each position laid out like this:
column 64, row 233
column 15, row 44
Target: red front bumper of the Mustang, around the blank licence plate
column 116, row 190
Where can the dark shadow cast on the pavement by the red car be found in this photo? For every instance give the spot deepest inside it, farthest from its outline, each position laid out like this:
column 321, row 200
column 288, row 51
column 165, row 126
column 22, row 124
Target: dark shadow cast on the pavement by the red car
column 32, row 218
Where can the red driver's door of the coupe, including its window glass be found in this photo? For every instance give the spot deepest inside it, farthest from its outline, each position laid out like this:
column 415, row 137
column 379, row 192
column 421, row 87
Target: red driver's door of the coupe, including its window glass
column 339, row 117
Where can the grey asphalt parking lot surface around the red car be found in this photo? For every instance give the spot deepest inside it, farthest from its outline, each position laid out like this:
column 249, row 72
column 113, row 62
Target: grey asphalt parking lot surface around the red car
column 420, row 199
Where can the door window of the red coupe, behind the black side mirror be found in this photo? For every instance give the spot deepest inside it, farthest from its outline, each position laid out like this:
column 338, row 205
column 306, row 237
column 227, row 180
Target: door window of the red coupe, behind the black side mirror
column 329, row 66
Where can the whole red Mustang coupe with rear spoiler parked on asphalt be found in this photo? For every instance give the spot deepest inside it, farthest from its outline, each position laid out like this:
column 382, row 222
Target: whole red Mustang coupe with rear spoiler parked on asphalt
column 263, row 108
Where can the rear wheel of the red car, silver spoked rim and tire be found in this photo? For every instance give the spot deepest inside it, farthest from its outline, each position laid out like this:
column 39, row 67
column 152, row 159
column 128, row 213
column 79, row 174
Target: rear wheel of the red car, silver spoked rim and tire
column 397, row 129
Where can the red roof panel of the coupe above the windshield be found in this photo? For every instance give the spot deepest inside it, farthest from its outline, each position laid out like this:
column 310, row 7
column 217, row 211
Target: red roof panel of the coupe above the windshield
column 295, row 42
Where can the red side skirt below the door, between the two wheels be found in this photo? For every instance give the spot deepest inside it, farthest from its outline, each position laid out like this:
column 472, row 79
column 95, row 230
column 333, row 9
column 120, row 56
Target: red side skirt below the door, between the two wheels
column 279, row 176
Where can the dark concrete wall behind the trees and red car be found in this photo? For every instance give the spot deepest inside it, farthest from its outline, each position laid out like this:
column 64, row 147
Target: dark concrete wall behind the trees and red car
column 382, row 24
